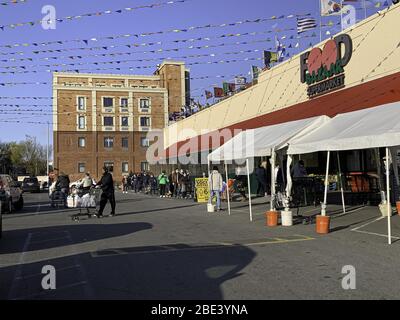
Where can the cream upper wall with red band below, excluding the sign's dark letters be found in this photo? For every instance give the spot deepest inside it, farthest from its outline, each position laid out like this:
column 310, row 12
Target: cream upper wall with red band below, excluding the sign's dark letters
column 369, row 78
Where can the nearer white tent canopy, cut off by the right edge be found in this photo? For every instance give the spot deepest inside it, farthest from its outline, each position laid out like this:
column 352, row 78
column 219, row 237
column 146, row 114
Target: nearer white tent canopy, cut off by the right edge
column 364, row 129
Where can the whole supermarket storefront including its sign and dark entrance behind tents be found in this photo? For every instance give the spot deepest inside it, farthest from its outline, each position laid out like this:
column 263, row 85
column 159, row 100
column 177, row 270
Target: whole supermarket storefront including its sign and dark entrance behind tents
column 357, row 69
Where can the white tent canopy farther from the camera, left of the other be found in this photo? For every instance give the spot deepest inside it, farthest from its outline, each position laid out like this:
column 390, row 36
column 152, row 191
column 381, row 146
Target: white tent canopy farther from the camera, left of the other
column 260, row 142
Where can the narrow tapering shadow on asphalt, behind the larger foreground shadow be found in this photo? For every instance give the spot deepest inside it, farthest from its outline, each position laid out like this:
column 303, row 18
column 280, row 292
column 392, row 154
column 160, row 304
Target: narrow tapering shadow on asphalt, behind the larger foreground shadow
column 57, row 236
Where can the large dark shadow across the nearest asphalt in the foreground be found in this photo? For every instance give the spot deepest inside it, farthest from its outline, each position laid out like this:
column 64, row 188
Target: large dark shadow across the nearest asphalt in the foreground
column 166, row 272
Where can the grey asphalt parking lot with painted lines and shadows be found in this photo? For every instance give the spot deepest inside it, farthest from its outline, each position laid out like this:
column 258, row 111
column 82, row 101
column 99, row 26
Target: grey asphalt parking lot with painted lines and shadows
column 173, row 249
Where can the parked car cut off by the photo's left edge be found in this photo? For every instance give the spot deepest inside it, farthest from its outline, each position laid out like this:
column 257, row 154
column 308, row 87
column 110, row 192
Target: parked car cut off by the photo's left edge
column 10, row 196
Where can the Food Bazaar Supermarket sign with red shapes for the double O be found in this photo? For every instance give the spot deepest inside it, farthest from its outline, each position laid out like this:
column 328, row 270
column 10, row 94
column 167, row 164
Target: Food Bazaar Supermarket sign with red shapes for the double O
column 323, row 70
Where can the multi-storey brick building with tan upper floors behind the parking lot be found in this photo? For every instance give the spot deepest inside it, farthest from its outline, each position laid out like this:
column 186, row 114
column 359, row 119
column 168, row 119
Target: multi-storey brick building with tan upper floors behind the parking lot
column 103, row 119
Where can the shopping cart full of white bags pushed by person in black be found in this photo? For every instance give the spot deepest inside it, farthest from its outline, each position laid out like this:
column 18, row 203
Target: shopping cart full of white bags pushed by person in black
column 86, row 203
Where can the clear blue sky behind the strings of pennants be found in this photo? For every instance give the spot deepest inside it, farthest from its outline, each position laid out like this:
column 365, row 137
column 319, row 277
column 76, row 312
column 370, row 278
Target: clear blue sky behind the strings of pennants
column 178, row 16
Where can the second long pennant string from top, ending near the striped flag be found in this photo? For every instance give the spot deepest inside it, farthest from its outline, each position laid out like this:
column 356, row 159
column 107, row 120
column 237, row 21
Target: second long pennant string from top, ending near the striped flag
column 147, row 34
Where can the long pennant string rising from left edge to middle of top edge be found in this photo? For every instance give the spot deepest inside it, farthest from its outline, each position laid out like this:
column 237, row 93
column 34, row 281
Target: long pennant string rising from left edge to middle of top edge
column 93, row 14
